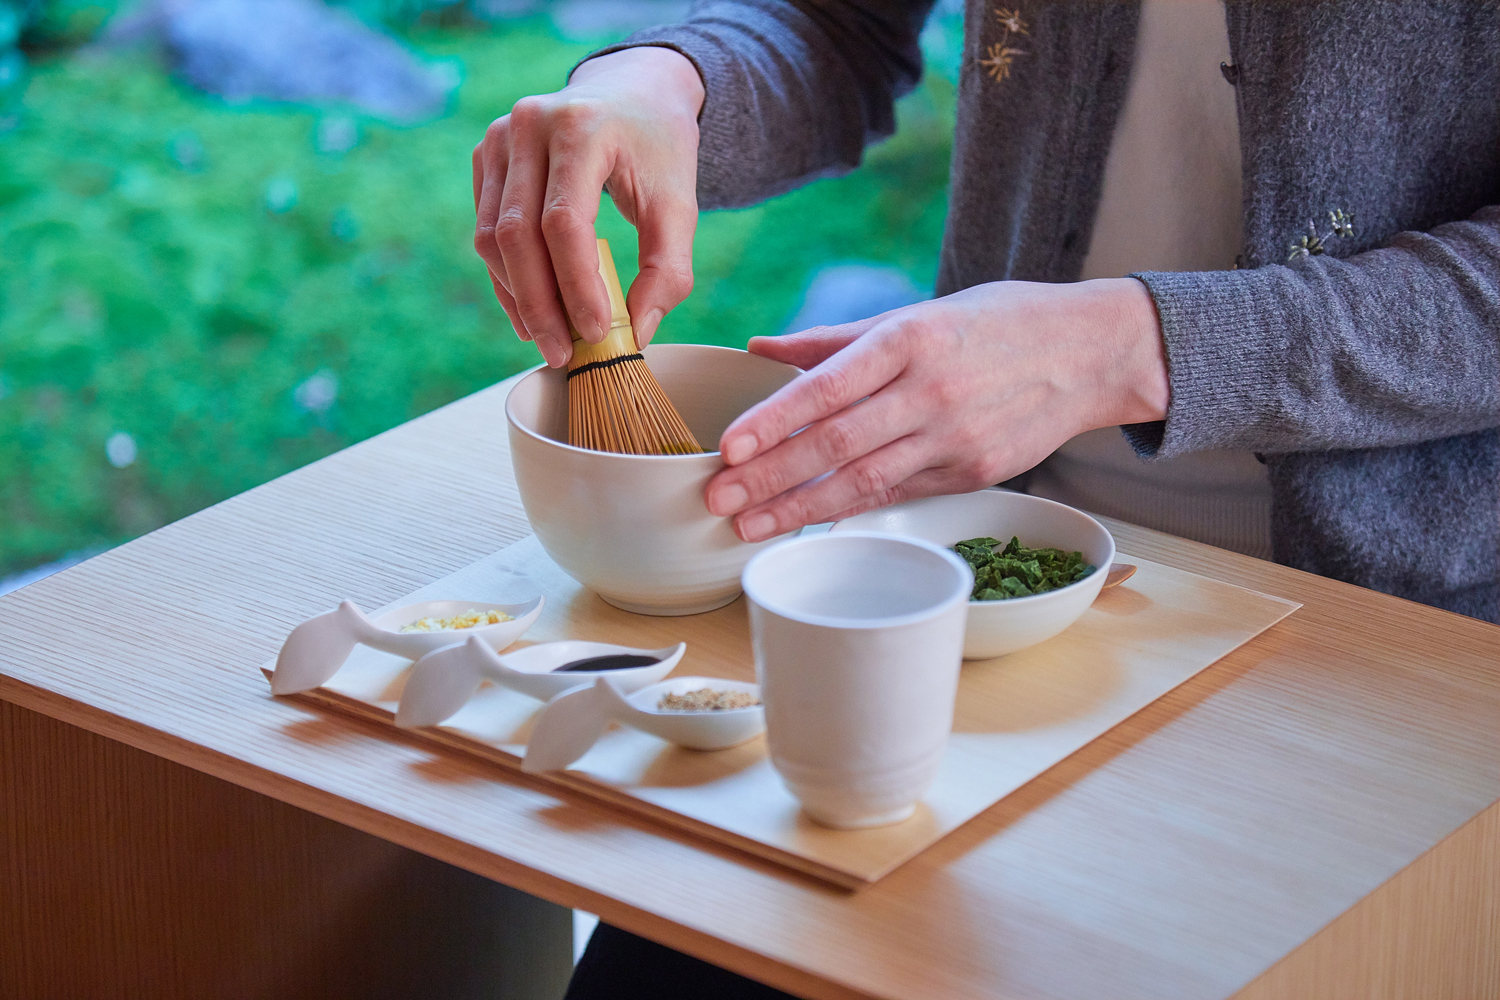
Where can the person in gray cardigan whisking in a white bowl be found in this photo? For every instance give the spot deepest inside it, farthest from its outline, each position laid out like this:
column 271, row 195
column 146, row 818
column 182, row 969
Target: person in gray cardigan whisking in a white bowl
column 1229, row 271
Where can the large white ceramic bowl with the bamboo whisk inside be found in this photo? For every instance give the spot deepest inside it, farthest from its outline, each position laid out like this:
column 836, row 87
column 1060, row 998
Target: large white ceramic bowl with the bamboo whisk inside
column 634, row 528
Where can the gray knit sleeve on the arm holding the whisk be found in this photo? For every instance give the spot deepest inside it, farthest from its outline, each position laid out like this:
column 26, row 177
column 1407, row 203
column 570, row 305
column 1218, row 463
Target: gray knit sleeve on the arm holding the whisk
column 796, row 89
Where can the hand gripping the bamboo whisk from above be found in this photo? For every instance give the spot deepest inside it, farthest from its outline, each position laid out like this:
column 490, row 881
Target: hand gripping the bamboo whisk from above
column 626, row 122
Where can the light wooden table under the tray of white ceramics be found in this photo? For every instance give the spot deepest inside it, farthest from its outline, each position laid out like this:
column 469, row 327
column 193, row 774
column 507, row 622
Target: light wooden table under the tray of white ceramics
column 1315, row 816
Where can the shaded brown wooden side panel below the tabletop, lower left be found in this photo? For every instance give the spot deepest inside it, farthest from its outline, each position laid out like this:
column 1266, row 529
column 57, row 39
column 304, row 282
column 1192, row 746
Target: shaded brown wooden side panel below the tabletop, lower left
column 125, row 875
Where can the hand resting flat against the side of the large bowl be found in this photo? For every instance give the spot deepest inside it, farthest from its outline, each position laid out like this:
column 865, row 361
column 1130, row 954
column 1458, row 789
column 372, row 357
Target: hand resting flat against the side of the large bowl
column 946, row 397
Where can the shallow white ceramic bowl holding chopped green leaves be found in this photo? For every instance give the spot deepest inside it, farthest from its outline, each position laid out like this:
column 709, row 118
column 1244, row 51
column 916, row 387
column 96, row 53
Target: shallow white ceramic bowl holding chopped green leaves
column 1000, row 627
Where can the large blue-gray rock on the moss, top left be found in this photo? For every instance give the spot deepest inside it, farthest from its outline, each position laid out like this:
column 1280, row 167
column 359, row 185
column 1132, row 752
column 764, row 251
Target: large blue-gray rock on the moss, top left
column 289, row 50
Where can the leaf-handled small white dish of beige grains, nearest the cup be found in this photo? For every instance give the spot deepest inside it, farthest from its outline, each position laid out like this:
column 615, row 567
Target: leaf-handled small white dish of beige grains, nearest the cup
column 574, row 722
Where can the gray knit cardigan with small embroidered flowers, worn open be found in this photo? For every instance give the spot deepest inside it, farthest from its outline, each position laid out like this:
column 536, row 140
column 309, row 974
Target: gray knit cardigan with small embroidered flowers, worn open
column 1367, row 377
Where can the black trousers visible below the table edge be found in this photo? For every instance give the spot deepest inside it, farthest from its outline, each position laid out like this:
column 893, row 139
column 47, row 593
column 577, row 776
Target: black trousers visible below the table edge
column 620, row 966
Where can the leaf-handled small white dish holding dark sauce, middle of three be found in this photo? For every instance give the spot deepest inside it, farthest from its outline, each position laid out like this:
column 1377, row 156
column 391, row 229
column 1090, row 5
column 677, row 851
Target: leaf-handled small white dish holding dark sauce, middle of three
column 443, row 681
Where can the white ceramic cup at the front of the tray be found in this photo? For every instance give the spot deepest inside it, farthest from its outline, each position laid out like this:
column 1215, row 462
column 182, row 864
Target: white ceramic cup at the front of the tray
column 857, row 638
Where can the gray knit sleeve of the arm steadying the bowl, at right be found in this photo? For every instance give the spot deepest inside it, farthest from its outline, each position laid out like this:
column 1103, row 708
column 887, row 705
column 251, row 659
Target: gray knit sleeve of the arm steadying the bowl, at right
column 1390, row 347
